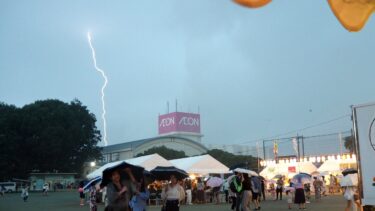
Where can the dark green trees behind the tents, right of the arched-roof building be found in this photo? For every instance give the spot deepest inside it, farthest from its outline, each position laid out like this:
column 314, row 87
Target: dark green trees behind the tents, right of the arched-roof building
column 230, row 159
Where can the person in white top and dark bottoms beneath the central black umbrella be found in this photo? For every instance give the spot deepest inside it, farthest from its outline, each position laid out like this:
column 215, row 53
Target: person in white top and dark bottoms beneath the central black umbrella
column 173, row 194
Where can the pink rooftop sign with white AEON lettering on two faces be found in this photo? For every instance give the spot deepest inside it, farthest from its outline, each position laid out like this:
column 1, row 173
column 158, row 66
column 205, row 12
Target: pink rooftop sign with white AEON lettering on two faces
column 179, row 122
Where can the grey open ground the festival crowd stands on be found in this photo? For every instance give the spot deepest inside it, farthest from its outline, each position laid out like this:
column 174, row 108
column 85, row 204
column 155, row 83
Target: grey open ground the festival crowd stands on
column 69, row 201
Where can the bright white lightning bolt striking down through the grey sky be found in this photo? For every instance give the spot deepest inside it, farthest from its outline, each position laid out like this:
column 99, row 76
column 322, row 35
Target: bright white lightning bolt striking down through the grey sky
column 102, row 90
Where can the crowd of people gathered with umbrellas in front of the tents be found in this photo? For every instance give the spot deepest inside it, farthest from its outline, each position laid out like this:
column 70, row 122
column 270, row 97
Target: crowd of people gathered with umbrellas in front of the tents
column 242, row 192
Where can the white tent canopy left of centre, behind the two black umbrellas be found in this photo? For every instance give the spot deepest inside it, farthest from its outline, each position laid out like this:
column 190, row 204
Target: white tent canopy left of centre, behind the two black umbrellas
column 148, row 162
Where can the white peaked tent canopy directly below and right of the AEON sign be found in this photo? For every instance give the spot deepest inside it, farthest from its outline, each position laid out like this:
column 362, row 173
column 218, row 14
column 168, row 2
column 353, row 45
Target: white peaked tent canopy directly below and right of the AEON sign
column 203, row 165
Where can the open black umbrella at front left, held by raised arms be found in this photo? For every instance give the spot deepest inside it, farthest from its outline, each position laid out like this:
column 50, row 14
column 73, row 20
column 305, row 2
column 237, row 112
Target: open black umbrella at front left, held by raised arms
column 107, row 173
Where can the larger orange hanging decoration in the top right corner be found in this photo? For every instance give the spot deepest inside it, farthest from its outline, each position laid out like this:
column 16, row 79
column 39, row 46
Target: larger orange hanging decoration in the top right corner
column 352, row 14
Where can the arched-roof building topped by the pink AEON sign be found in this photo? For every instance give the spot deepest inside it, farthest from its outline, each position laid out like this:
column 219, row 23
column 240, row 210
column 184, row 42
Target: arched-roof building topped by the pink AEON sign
column 178, row 131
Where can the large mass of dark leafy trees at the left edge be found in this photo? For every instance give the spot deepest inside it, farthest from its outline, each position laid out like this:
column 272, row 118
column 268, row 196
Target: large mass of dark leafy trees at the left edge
column 46, row 136
